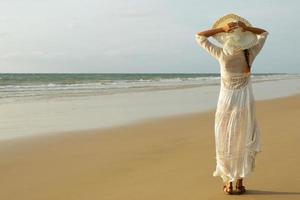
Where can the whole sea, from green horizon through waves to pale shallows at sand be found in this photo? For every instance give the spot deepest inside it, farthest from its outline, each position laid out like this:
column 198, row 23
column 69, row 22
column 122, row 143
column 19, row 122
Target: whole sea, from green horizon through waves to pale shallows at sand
column 40, row 104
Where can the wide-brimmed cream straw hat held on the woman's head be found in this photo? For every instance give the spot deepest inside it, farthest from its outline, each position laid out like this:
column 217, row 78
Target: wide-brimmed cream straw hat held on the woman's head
column 238, row 39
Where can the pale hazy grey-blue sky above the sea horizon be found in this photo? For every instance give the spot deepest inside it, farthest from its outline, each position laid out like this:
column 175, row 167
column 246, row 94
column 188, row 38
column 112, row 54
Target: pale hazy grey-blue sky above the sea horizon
column 136, row 36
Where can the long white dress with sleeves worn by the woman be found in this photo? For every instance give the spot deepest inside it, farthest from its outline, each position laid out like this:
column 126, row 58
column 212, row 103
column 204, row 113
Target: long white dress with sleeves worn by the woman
column 237, row 134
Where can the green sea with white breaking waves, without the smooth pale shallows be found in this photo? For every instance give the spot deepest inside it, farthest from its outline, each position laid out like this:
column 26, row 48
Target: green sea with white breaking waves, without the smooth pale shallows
column 22, row 87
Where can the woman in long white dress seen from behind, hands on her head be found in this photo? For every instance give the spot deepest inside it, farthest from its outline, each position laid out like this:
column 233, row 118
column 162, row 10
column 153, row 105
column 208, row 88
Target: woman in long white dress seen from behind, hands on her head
column 237, row 134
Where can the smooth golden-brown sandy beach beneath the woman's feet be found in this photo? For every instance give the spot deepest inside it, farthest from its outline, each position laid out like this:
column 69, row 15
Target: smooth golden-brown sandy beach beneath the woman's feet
column 165, row 158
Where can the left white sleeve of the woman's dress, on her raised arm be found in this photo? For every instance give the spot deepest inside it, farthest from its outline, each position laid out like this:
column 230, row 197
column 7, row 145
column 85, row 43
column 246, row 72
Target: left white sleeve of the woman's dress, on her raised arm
column 212, row 49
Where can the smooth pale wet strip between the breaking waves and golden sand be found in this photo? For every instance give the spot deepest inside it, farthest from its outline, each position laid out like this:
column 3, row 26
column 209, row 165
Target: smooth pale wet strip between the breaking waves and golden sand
column 33, row 118
